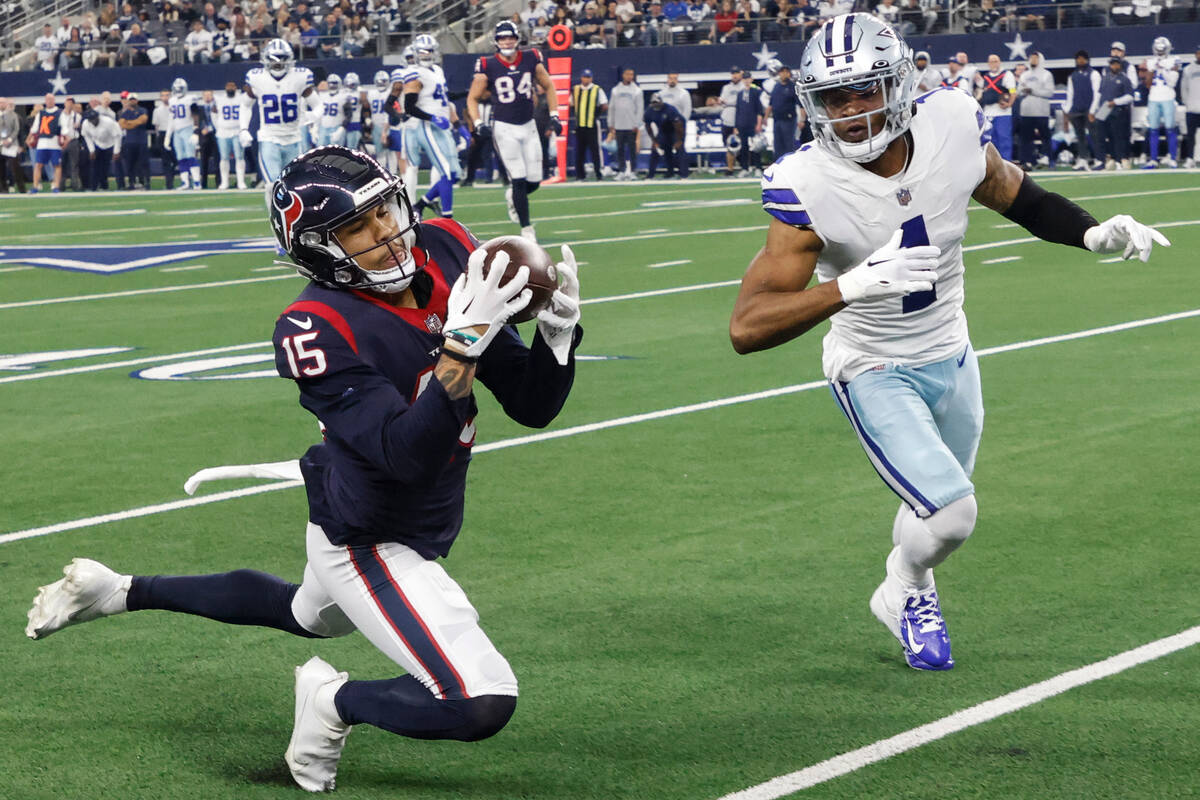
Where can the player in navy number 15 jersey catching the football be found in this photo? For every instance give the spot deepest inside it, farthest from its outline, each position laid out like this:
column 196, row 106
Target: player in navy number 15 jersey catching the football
column 386, row 346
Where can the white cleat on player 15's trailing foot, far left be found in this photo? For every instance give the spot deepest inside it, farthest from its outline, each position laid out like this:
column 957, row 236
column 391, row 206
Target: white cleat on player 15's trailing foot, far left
column 89, row 591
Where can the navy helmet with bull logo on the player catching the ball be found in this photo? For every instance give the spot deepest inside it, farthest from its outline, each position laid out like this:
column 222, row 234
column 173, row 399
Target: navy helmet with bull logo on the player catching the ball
column 322, row 191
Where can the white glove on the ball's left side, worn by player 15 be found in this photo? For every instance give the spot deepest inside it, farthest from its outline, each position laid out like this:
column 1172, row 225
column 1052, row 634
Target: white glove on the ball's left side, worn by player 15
column 477, row 303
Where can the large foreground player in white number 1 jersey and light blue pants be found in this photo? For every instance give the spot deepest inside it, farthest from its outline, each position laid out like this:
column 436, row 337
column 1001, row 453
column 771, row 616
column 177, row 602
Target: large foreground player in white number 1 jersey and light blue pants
column 878, row 208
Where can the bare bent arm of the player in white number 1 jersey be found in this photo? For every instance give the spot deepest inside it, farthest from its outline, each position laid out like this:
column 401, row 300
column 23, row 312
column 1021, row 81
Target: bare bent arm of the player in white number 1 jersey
column 775, row 305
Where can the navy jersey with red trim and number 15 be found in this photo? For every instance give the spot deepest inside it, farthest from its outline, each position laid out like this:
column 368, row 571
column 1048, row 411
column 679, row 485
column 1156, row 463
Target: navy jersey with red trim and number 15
column 393, row 466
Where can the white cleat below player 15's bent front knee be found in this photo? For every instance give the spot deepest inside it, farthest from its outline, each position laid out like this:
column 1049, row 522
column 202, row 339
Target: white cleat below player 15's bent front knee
column 319, row 735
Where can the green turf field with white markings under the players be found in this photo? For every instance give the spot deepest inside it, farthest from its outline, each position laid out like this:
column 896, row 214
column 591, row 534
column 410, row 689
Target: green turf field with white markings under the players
column 683, row 598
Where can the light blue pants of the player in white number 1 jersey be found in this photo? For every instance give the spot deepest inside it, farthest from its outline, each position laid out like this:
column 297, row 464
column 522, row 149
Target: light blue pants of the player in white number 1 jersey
column 920, row 428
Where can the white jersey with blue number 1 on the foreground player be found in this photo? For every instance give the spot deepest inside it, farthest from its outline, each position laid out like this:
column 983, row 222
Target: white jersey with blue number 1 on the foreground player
column 855, row 213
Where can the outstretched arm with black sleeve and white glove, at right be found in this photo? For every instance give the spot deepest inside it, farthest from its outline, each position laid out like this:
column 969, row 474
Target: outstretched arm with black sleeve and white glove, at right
column 1055, row 219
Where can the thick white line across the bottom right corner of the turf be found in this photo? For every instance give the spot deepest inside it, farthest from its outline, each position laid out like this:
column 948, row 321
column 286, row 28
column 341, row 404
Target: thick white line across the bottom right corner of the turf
column 885, row 749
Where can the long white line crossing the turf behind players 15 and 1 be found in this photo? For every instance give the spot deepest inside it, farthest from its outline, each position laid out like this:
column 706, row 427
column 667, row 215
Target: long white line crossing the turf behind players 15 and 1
column 577, row 430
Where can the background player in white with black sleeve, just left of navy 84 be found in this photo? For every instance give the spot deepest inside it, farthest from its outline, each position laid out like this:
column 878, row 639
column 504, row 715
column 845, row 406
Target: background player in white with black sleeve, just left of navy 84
column 427, row 103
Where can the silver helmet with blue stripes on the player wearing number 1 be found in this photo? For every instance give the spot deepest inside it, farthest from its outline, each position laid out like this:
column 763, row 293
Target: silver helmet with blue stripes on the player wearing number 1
column 859, row 55
